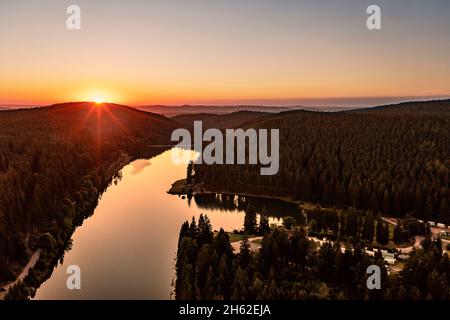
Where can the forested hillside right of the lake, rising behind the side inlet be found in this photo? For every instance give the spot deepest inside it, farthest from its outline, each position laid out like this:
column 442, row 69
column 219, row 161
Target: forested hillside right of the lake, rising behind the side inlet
column 390, row 160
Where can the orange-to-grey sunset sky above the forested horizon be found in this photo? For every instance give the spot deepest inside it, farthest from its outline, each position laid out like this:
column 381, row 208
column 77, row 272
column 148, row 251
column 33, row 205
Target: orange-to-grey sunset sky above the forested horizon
column 268, row 52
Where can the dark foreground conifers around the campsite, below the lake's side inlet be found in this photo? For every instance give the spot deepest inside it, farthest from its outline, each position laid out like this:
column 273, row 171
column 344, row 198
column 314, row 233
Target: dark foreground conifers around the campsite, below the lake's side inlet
column 289, row 266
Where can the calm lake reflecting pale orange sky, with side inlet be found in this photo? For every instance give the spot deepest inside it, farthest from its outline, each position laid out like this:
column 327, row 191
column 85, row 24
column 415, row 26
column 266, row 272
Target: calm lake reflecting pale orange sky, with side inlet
column 126, row 249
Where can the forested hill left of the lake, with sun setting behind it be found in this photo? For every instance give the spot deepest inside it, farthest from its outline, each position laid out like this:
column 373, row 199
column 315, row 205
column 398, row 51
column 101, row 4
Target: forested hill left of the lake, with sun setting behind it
column 54, row 162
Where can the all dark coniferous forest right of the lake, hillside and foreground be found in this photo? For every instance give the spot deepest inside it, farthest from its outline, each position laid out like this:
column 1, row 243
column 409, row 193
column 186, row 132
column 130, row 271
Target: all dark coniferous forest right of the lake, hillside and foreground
column 361, row 165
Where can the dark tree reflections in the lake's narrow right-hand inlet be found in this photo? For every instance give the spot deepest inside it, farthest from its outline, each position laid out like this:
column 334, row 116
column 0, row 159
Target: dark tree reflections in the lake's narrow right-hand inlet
column 231, row 203
